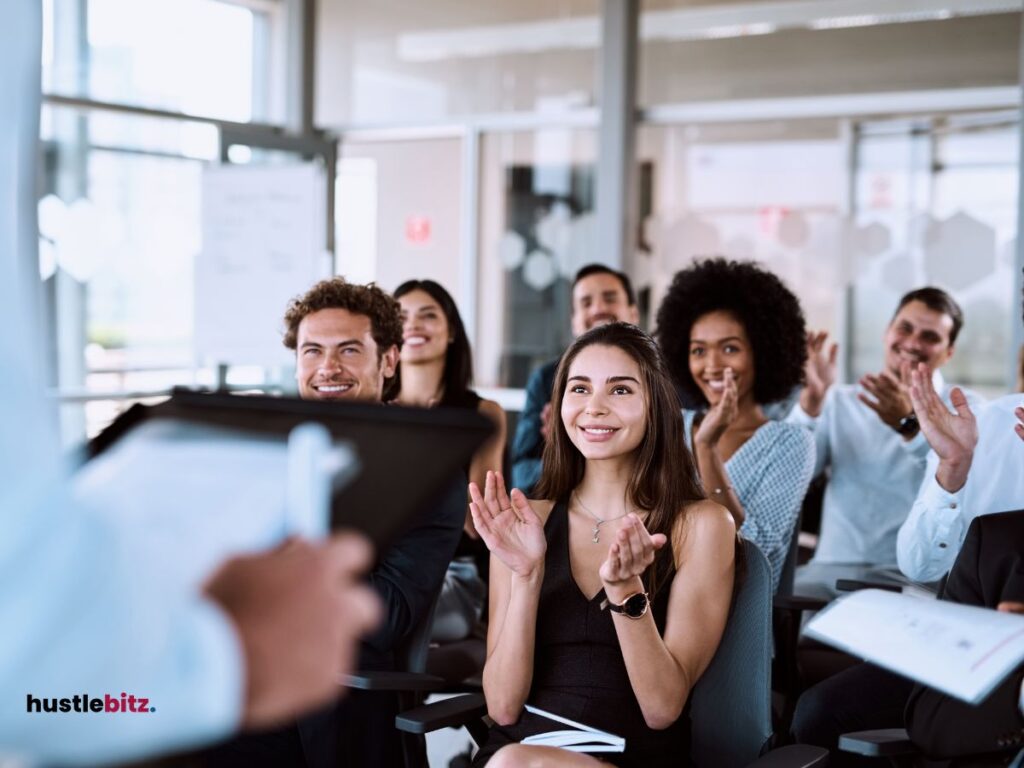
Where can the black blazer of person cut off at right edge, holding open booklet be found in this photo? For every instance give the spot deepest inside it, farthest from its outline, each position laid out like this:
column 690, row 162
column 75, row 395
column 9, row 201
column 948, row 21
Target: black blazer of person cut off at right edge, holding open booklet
column 989, row 571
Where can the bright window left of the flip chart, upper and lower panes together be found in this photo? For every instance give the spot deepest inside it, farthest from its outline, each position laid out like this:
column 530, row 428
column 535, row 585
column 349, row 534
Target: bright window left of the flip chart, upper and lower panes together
column 120, row 209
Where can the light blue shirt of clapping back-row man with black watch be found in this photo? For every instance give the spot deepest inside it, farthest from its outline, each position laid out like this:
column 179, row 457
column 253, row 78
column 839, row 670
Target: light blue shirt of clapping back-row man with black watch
column 874, row 478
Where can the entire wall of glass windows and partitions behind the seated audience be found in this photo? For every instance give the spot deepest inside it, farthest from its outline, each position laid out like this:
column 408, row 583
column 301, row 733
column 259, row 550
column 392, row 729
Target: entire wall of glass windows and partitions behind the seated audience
column 858, row 158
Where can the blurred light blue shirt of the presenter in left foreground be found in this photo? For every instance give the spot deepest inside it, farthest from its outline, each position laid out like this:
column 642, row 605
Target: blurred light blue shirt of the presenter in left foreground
column 81, row 611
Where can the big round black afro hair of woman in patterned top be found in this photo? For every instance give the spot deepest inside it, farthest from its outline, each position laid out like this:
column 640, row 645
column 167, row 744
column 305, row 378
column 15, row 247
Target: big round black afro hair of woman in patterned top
column 758, row 300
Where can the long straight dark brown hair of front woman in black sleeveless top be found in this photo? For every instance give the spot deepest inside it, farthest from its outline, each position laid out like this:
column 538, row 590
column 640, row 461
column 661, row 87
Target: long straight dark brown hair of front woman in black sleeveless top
column 665, row 478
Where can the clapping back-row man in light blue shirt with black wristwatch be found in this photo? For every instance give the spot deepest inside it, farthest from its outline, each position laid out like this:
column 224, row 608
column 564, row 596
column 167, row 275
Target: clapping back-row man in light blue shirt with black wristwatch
column 869, row 439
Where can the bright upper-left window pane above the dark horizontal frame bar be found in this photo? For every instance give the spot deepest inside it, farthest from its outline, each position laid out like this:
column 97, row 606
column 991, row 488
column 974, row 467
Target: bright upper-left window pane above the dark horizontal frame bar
column 204, row 58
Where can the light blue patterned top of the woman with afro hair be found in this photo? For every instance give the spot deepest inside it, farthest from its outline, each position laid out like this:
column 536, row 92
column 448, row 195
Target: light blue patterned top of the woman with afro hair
column 770, row 475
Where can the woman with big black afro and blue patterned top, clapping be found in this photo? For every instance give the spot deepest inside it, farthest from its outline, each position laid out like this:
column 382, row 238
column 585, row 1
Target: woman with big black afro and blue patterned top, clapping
column 736, row 342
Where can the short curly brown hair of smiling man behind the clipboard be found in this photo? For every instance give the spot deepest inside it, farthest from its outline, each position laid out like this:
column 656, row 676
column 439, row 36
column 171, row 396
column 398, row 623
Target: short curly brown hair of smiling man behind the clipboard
column 336, row 293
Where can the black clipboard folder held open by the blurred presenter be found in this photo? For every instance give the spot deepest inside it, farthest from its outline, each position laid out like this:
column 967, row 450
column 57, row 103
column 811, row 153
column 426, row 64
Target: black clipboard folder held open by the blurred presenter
column 408, row 458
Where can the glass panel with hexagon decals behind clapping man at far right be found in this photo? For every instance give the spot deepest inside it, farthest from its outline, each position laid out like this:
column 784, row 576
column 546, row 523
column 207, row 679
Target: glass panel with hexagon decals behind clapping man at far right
column 936, row 204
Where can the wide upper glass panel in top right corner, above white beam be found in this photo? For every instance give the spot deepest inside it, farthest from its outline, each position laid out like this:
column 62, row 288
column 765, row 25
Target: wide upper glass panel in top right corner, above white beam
column 735, row 52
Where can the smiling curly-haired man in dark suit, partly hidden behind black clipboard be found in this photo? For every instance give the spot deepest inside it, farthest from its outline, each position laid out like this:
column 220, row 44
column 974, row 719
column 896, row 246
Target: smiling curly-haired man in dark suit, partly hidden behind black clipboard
column 347, row 340
